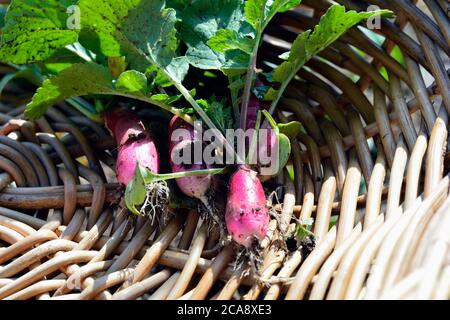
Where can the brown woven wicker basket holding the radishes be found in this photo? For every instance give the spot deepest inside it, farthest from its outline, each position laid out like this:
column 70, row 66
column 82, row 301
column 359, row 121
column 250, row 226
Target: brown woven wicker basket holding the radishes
column 374, row 156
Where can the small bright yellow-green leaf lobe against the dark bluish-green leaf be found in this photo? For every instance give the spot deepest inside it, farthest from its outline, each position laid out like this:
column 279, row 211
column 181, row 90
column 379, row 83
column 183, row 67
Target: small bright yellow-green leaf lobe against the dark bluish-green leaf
column 226, row 39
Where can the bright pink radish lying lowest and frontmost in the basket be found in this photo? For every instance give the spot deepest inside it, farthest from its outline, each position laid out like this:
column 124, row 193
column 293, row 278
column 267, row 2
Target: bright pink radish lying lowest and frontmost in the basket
column 246, row 214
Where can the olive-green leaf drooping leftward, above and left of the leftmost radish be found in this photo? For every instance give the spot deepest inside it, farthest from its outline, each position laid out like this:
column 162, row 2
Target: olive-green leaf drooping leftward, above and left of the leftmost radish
column 77, row 80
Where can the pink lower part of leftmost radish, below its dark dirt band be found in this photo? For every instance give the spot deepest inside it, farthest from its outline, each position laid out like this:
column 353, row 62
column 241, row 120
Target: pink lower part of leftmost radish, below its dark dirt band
column 143, row 151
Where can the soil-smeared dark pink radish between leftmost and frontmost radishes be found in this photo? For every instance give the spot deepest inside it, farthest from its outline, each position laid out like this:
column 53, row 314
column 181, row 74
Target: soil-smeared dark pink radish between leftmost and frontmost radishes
column 195, row 186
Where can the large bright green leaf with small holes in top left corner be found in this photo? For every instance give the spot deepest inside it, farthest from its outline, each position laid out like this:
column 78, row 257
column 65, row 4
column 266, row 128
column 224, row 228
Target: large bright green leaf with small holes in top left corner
column 35, row 29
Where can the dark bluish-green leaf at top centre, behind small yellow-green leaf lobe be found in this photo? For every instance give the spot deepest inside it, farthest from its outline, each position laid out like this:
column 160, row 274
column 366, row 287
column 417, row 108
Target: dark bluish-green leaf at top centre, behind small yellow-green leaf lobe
column 200, row 21
